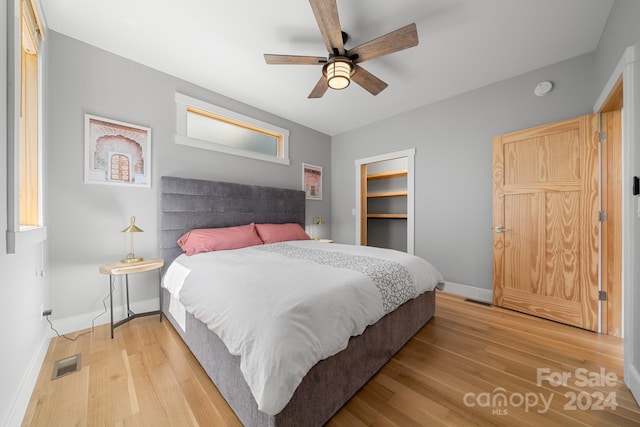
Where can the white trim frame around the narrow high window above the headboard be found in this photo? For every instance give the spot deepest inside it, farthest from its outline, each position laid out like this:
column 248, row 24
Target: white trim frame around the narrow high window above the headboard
column 185, row 103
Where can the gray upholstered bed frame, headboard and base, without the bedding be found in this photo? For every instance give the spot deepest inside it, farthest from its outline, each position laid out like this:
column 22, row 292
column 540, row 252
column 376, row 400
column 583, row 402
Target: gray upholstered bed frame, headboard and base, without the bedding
column 187, row 204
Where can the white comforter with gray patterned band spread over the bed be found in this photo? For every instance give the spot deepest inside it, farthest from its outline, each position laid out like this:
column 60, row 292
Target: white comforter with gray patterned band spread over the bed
column 284, row 307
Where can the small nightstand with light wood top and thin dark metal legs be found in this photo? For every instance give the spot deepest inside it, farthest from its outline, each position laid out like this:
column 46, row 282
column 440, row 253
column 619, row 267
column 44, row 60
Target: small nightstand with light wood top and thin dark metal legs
column 120, row 268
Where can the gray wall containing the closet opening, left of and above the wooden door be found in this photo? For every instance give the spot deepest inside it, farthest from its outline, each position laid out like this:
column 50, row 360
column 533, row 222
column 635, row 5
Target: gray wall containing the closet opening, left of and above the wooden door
column 453, row 138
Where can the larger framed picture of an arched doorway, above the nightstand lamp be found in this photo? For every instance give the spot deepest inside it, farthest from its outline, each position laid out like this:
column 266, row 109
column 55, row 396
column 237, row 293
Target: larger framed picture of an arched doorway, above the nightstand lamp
column 116, row 153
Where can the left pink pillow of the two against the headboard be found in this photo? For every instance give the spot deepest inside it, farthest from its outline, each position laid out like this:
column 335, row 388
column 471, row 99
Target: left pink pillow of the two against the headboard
column 215, row 239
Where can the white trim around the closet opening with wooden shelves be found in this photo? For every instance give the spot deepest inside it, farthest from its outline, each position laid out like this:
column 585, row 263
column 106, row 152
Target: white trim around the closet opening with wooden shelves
column 410, row 155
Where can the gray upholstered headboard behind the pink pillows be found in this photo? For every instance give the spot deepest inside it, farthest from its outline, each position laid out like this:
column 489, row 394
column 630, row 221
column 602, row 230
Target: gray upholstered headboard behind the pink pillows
column 186, row 204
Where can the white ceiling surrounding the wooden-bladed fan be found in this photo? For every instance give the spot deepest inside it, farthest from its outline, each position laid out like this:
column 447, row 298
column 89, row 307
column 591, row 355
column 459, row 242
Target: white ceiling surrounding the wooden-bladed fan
column 464, row 44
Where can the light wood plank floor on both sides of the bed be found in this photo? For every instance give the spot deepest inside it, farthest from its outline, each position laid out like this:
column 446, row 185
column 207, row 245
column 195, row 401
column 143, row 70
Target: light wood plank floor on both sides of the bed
column 450, row 373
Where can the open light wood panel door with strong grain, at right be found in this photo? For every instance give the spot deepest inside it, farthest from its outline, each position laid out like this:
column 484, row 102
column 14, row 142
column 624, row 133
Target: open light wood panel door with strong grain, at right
column 545, row 218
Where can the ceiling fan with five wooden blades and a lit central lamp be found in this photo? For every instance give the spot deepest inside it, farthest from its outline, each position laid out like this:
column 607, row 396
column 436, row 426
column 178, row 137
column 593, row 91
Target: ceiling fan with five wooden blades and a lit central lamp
column 341, row 66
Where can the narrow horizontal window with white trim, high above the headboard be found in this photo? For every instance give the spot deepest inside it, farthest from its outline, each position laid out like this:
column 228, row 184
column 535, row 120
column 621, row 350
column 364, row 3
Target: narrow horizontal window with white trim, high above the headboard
column 208, row 126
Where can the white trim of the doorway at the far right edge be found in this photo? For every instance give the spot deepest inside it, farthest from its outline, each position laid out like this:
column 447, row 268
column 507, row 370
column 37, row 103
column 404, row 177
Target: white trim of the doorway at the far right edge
column 629, row 71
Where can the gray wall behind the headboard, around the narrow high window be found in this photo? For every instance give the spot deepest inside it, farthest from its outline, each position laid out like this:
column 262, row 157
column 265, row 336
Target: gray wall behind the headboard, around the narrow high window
column 85, row 219
